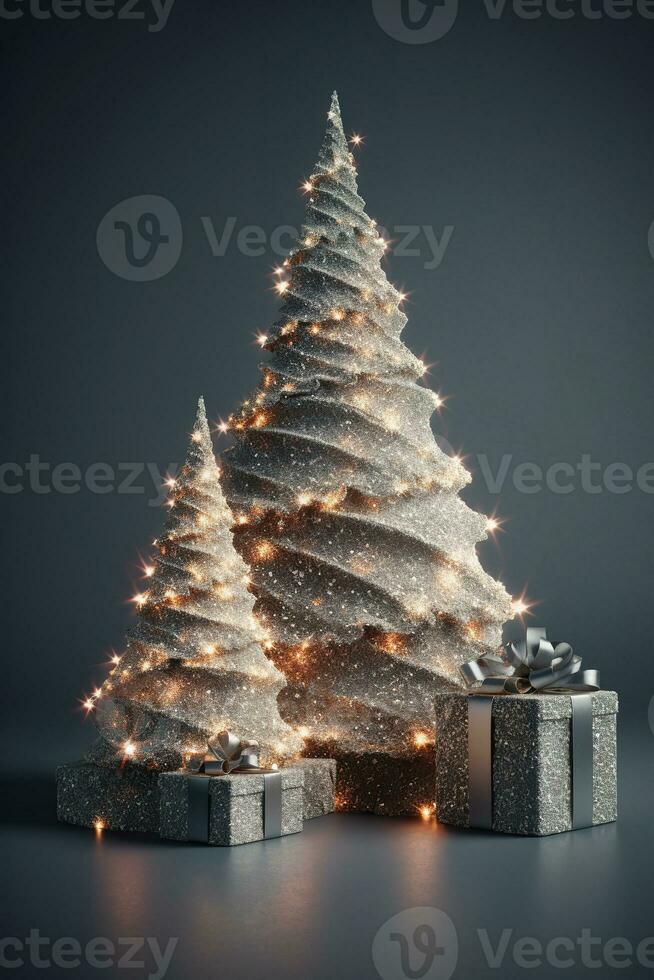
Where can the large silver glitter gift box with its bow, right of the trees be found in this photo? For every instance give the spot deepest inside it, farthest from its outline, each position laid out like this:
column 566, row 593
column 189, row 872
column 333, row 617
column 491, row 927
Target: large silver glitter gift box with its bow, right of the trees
column 531, row 749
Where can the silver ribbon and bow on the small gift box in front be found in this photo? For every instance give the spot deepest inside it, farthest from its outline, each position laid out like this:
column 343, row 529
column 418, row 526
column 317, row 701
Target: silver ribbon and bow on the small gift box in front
column 229, row 755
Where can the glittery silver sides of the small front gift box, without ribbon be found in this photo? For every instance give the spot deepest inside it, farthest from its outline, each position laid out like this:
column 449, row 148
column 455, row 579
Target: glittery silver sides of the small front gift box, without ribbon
column 235, row 806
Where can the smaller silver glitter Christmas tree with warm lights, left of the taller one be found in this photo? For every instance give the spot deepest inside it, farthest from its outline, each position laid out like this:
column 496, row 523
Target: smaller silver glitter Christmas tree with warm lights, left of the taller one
column 194, row 664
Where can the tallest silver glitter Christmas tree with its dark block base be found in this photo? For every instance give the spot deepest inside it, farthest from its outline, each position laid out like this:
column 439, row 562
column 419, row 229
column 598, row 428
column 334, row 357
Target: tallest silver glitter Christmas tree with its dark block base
column 362, row 553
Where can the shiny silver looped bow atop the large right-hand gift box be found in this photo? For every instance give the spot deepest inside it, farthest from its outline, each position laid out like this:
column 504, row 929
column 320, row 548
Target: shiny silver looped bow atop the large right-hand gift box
column 531, row 665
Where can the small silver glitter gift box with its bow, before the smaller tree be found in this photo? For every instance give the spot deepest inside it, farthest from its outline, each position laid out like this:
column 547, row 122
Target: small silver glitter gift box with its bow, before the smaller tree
column 226, row 799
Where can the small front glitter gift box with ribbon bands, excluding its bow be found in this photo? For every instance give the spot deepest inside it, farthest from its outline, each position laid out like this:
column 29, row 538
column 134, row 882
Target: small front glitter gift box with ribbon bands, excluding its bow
column 232, row 809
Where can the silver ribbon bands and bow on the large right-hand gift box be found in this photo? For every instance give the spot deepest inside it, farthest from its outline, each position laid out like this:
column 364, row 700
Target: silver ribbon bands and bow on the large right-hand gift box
column 533, row 665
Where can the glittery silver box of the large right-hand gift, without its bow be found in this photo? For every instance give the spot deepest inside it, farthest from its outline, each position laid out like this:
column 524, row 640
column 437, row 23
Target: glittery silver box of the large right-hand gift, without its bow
column 533, row 787
